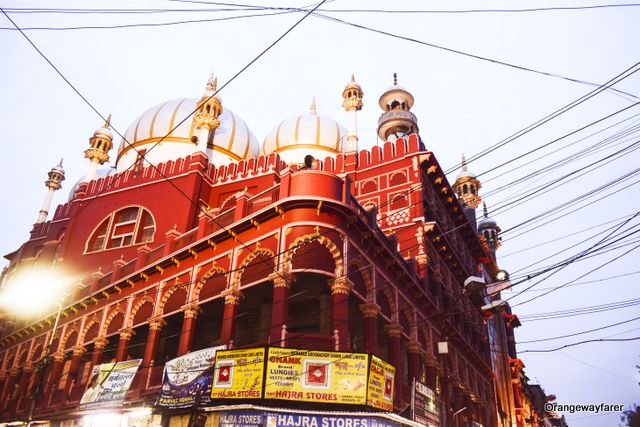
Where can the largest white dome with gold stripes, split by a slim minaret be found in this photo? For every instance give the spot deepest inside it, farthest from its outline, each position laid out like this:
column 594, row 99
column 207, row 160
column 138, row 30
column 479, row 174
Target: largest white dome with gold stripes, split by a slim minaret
column 232, row 140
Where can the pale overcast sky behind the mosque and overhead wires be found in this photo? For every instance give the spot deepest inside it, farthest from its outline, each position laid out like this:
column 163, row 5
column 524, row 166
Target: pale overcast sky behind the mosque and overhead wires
column 463, row 104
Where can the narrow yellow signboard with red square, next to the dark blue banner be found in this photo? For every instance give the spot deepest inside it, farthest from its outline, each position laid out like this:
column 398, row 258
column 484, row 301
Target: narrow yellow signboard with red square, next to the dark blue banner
column 238, row 374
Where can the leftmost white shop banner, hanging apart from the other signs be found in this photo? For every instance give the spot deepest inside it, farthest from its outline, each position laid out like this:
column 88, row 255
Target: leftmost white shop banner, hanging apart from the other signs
column 109, row 384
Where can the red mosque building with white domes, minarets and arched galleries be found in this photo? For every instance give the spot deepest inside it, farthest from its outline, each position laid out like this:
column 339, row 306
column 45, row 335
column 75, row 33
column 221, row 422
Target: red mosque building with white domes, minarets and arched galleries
column 203, row 237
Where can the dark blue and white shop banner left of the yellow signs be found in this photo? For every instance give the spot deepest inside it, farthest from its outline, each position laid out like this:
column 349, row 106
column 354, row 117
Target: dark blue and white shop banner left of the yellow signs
column 186, row 380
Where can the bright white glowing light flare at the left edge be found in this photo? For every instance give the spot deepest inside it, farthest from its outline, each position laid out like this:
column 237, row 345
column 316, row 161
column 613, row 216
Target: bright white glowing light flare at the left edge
column 34, row 291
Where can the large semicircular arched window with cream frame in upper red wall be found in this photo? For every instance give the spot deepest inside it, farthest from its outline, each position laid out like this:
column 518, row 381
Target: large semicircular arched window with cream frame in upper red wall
column 133, row 225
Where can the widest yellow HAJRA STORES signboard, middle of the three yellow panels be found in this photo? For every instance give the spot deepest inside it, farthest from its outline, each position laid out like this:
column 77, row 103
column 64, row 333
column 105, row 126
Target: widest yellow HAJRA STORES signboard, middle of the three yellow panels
column 316, row 376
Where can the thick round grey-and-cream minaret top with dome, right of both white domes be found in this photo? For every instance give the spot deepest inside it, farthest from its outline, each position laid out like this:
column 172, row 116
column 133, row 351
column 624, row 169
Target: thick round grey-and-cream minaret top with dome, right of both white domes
column 397, row 118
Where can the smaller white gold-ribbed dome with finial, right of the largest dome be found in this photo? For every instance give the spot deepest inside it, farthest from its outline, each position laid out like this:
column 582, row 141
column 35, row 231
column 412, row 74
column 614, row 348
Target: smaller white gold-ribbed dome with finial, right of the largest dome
column 306, row 134
